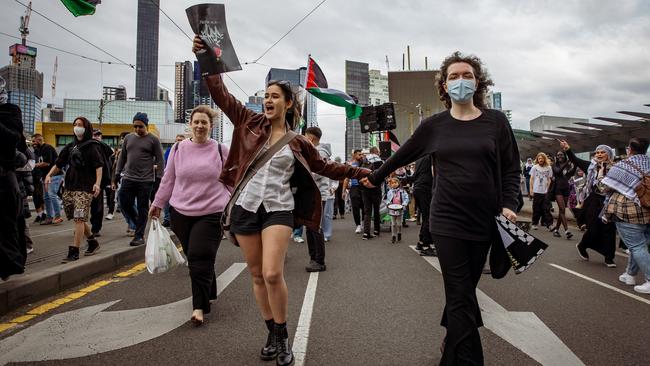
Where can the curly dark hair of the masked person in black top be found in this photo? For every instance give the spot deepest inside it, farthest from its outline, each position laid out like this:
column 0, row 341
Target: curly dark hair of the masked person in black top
column 480, row 74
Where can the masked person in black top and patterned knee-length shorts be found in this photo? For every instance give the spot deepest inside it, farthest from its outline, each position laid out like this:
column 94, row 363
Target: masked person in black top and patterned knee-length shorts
column 82, row 183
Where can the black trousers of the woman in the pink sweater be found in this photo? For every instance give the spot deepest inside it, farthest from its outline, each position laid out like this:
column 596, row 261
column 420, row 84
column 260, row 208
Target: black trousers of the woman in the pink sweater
column 200, row 237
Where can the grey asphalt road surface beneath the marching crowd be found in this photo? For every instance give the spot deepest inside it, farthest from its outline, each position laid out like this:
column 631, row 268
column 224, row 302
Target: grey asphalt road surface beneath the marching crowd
column 377, row 304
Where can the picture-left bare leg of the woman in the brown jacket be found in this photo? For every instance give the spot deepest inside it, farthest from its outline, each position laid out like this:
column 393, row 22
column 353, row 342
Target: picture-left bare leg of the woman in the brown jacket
column 251, row 246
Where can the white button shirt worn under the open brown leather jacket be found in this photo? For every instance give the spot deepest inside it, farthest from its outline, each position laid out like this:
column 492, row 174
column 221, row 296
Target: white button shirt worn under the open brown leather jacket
column 270, row 186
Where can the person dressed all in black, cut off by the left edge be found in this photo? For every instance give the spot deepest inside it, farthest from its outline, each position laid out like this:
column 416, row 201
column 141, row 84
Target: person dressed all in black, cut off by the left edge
column 13, row 251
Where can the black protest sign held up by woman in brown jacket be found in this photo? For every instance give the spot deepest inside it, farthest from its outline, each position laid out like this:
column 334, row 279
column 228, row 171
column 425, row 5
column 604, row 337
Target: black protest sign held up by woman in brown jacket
column 209, row 22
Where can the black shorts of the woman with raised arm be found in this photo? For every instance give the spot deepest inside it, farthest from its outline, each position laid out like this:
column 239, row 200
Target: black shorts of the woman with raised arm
column 245, row 222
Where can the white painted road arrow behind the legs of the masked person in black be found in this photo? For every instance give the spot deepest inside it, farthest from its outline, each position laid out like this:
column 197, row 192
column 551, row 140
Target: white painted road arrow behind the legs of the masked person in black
column 524, row 330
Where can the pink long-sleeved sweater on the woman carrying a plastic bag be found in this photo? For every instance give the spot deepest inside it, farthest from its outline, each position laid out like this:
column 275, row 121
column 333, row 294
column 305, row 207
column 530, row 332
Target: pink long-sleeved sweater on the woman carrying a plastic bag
column 191, row 181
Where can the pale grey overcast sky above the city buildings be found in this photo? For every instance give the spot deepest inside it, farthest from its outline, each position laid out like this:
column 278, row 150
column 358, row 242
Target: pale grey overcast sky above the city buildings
column 558, row 57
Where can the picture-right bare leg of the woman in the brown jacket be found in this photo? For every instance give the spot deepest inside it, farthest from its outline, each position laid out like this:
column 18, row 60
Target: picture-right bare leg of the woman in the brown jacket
column 276, row 242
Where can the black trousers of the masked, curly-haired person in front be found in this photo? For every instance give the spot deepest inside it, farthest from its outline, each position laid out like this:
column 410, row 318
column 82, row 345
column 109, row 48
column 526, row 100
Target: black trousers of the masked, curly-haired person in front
column 462, row 264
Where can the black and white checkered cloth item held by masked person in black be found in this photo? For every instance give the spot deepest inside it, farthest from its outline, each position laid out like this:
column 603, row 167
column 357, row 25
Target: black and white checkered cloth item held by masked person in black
column 522, row 248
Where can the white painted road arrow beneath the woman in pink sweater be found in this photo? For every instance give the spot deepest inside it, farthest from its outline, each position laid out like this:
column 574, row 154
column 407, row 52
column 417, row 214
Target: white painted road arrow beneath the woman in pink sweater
column 88, row 331
